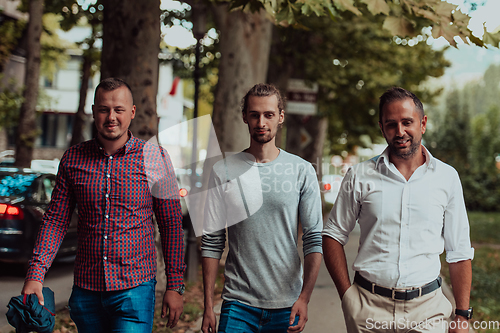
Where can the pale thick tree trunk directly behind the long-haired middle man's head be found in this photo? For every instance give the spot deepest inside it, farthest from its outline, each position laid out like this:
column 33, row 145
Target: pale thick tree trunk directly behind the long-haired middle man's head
column 245, row 41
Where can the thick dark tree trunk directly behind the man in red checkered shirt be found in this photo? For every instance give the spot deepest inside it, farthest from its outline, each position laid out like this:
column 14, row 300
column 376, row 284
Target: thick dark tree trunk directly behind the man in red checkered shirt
column 131, row 43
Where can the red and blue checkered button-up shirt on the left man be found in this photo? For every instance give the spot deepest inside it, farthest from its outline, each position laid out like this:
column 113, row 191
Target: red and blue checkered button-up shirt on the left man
column 116, row 196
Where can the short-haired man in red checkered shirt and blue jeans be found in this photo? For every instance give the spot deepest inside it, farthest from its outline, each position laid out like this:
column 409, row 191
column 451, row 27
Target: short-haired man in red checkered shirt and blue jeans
column 117, row 181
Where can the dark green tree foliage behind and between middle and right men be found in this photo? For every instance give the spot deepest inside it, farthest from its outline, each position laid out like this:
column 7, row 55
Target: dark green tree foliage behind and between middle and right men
column 354, row 61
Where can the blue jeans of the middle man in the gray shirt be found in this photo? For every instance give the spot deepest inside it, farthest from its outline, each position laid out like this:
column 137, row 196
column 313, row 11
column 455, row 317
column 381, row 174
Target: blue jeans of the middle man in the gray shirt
column 237, row 317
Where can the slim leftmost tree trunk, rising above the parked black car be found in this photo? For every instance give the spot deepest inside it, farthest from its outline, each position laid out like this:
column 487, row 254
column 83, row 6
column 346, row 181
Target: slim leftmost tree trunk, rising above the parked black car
column 27, row 131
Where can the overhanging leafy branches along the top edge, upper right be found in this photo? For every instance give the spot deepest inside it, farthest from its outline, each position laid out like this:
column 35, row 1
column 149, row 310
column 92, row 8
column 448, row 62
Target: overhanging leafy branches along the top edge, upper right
column 402, row 18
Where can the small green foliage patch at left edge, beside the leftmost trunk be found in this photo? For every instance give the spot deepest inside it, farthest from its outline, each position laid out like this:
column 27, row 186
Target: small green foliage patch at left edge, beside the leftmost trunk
column 11, row 99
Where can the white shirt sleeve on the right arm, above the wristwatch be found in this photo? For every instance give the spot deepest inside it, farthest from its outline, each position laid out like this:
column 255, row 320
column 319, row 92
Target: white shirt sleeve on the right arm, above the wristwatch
column 456, row 226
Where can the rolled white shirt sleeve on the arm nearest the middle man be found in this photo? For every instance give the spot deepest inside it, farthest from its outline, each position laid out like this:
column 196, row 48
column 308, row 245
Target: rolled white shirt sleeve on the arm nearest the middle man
column 344, row 213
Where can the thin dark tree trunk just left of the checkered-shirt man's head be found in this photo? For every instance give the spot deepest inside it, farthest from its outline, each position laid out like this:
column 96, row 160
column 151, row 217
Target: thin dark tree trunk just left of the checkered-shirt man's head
column 80, row 117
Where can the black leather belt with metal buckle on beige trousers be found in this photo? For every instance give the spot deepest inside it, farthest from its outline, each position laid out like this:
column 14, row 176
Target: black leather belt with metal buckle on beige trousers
column 402, row 295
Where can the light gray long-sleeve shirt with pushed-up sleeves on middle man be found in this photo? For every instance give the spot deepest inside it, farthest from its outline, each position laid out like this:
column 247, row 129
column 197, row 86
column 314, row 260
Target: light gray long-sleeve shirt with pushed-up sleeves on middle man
column 261, row 205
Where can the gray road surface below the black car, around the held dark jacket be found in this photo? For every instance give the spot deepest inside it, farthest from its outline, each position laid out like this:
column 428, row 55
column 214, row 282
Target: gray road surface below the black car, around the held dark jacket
column 59, row 278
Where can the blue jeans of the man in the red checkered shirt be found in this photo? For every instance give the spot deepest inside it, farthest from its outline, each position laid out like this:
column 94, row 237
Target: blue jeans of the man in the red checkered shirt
column 129, row 310
